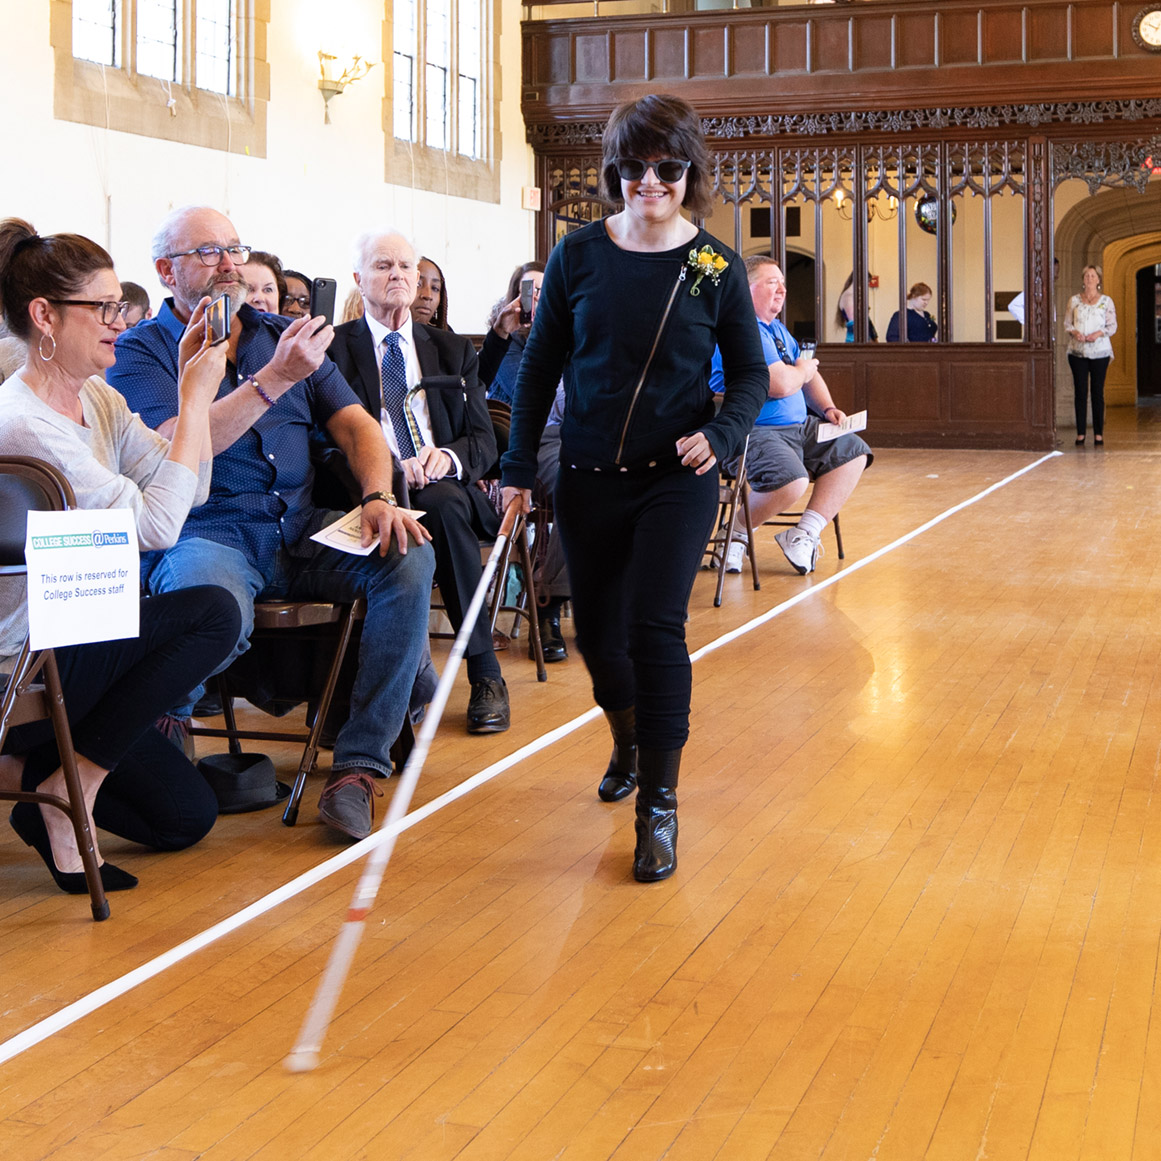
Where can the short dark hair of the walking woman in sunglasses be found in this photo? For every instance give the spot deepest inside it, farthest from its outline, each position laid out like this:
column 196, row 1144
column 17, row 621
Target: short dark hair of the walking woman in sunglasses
column 659, row 126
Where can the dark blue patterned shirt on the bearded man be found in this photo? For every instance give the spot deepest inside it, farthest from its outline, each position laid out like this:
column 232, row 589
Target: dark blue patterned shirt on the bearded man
column 261, row 493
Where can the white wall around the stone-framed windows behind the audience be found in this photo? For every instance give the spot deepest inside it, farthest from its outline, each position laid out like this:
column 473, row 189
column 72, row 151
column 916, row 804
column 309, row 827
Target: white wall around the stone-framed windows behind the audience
column 316, row 190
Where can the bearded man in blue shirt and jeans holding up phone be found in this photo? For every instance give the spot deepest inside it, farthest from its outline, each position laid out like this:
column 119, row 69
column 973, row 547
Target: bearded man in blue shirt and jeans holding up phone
column 253, row 536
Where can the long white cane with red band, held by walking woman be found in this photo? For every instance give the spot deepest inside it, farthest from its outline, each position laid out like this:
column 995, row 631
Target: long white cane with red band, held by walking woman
column 306, row 1052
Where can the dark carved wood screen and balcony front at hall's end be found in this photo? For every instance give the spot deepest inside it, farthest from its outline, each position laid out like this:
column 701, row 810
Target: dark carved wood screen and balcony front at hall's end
column 833, row 127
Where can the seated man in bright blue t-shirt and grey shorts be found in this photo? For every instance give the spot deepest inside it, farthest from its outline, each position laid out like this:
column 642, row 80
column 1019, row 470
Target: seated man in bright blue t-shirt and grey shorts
column 785, row 453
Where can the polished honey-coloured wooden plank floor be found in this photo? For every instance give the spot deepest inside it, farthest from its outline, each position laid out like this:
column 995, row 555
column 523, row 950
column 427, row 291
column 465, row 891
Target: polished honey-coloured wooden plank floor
column 918, row 912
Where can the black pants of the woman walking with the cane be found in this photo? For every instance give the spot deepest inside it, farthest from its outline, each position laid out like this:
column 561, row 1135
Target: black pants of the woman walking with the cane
column 633, row 543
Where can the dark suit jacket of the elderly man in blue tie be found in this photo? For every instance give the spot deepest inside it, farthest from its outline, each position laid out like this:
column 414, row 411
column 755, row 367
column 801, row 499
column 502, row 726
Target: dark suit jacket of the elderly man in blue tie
column 450, row 374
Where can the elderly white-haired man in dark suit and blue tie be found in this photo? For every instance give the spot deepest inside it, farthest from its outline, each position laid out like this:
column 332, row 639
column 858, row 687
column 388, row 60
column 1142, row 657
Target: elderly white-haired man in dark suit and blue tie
column 421, row 384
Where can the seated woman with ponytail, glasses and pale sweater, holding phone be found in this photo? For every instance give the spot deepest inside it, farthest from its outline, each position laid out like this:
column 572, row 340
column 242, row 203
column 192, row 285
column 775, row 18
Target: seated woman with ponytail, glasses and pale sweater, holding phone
column 61, row 295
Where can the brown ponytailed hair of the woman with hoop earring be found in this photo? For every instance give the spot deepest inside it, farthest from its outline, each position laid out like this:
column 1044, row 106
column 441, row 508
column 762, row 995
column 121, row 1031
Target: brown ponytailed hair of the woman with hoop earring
column 34, row 268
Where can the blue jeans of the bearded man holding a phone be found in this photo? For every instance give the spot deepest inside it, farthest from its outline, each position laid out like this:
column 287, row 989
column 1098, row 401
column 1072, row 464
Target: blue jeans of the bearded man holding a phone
column 398, row 590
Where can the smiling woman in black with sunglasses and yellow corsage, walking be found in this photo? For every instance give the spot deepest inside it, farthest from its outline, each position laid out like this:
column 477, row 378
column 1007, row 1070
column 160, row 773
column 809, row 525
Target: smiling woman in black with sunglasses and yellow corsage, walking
column 630, row 312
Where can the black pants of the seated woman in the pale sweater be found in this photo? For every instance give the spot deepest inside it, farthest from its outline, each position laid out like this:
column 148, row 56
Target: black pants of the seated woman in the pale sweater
column 114, row 693
